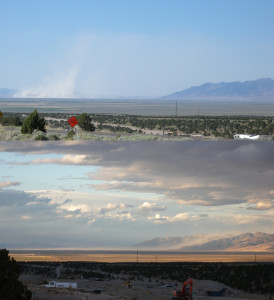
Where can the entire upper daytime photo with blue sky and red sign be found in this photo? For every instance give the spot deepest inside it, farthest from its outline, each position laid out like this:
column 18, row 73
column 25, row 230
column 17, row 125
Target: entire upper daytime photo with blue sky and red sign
column 138, row 70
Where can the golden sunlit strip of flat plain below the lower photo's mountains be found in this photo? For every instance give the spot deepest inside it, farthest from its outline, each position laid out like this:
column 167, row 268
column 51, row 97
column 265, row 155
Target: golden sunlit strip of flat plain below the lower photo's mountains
column 111, row 258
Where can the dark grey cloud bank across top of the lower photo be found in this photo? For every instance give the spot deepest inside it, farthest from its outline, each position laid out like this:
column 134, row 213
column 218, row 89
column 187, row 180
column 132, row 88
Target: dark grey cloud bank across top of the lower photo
column 200, row 173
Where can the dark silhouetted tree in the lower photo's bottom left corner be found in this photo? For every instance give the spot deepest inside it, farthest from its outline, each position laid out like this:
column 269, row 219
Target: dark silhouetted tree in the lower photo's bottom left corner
column 11, row 288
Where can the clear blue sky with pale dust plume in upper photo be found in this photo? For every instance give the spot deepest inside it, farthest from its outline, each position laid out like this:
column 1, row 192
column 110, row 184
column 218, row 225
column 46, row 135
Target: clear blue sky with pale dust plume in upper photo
column 138, row 48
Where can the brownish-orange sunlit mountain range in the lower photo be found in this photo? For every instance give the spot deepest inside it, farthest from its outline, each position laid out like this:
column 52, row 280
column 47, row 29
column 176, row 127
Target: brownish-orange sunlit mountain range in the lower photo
column 244, row 242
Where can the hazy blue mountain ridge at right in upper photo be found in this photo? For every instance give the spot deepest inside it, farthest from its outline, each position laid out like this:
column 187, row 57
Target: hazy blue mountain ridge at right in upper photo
column 260, row 90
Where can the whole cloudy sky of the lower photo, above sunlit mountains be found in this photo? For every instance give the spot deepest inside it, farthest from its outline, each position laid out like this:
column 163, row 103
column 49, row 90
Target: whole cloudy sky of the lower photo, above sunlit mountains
column 117, row 195
